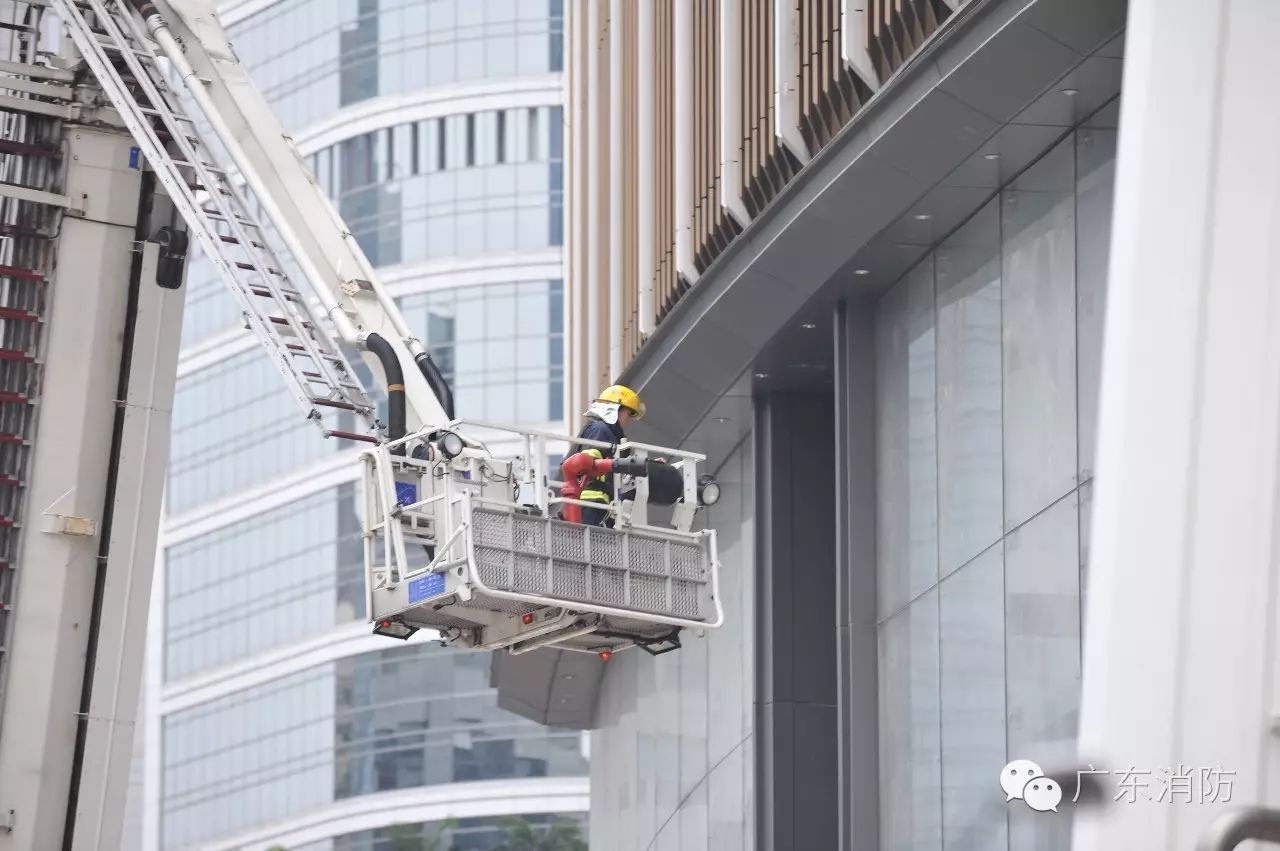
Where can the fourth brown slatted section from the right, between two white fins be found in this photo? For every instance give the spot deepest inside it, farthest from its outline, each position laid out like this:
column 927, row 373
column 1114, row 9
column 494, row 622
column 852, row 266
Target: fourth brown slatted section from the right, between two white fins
column 714, row 228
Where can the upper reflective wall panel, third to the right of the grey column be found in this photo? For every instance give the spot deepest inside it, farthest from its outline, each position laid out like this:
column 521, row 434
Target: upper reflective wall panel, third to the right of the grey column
column 1040, row 336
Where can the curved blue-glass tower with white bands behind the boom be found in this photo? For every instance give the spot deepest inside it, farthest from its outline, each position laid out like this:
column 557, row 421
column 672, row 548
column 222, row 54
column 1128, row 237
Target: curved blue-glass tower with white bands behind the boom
column 273, row 717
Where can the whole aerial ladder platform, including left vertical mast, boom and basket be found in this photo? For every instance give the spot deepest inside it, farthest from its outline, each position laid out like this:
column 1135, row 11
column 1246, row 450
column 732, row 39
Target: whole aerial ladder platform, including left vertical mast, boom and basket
column 134, row 143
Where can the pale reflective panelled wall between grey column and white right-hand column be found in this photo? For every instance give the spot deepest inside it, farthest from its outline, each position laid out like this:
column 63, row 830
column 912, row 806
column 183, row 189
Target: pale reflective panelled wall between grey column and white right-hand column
column 988, row 381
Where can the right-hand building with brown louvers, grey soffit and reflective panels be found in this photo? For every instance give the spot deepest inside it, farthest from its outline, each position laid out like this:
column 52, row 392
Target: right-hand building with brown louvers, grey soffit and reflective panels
column 865, row 271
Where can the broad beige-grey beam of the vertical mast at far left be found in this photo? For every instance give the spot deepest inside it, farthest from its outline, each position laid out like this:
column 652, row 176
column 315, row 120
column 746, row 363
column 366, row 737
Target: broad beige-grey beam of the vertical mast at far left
column 68, row 478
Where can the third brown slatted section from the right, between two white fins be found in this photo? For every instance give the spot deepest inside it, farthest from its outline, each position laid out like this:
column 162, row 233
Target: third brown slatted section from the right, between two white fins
column 767, row 167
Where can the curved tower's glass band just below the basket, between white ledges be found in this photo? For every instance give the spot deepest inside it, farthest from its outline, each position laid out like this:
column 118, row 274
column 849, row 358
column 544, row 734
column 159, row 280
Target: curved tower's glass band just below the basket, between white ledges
column 394, row 720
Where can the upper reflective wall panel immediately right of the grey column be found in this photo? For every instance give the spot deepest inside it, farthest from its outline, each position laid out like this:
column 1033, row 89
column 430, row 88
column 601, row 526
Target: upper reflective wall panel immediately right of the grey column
column 907, row 470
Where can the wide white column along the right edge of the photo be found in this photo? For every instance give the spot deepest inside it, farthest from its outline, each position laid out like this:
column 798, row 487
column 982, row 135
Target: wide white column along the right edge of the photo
column 1182, row 662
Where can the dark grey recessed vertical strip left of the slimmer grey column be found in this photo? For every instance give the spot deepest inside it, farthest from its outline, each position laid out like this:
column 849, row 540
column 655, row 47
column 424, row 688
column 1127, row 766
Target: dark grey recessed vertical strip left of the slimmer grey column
column 797, row 722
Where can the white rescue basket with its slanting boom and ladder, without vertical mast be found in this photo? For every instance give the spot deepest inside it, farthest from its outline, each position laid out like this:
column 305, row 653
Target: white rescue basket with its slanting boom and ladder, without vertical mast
column 458, row 539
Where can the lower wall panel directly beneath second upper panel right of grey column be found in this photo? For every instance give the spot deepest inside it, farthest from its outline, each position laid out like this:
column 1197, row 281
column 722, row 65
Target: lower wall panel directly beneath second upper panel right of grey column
column 973, row 703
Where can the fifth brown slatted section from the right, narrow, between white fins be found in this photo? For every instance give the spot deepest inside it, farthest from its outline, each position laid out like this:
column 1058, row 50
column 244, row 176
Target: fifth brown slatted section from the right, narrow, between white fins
column 666, row 285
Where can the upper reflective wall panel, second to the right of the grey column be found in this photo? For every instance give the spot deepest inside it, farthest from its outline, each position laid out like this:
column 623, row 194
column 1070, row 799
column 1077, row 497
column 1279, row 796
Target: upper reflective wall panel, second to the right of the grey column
column 971, row 506
